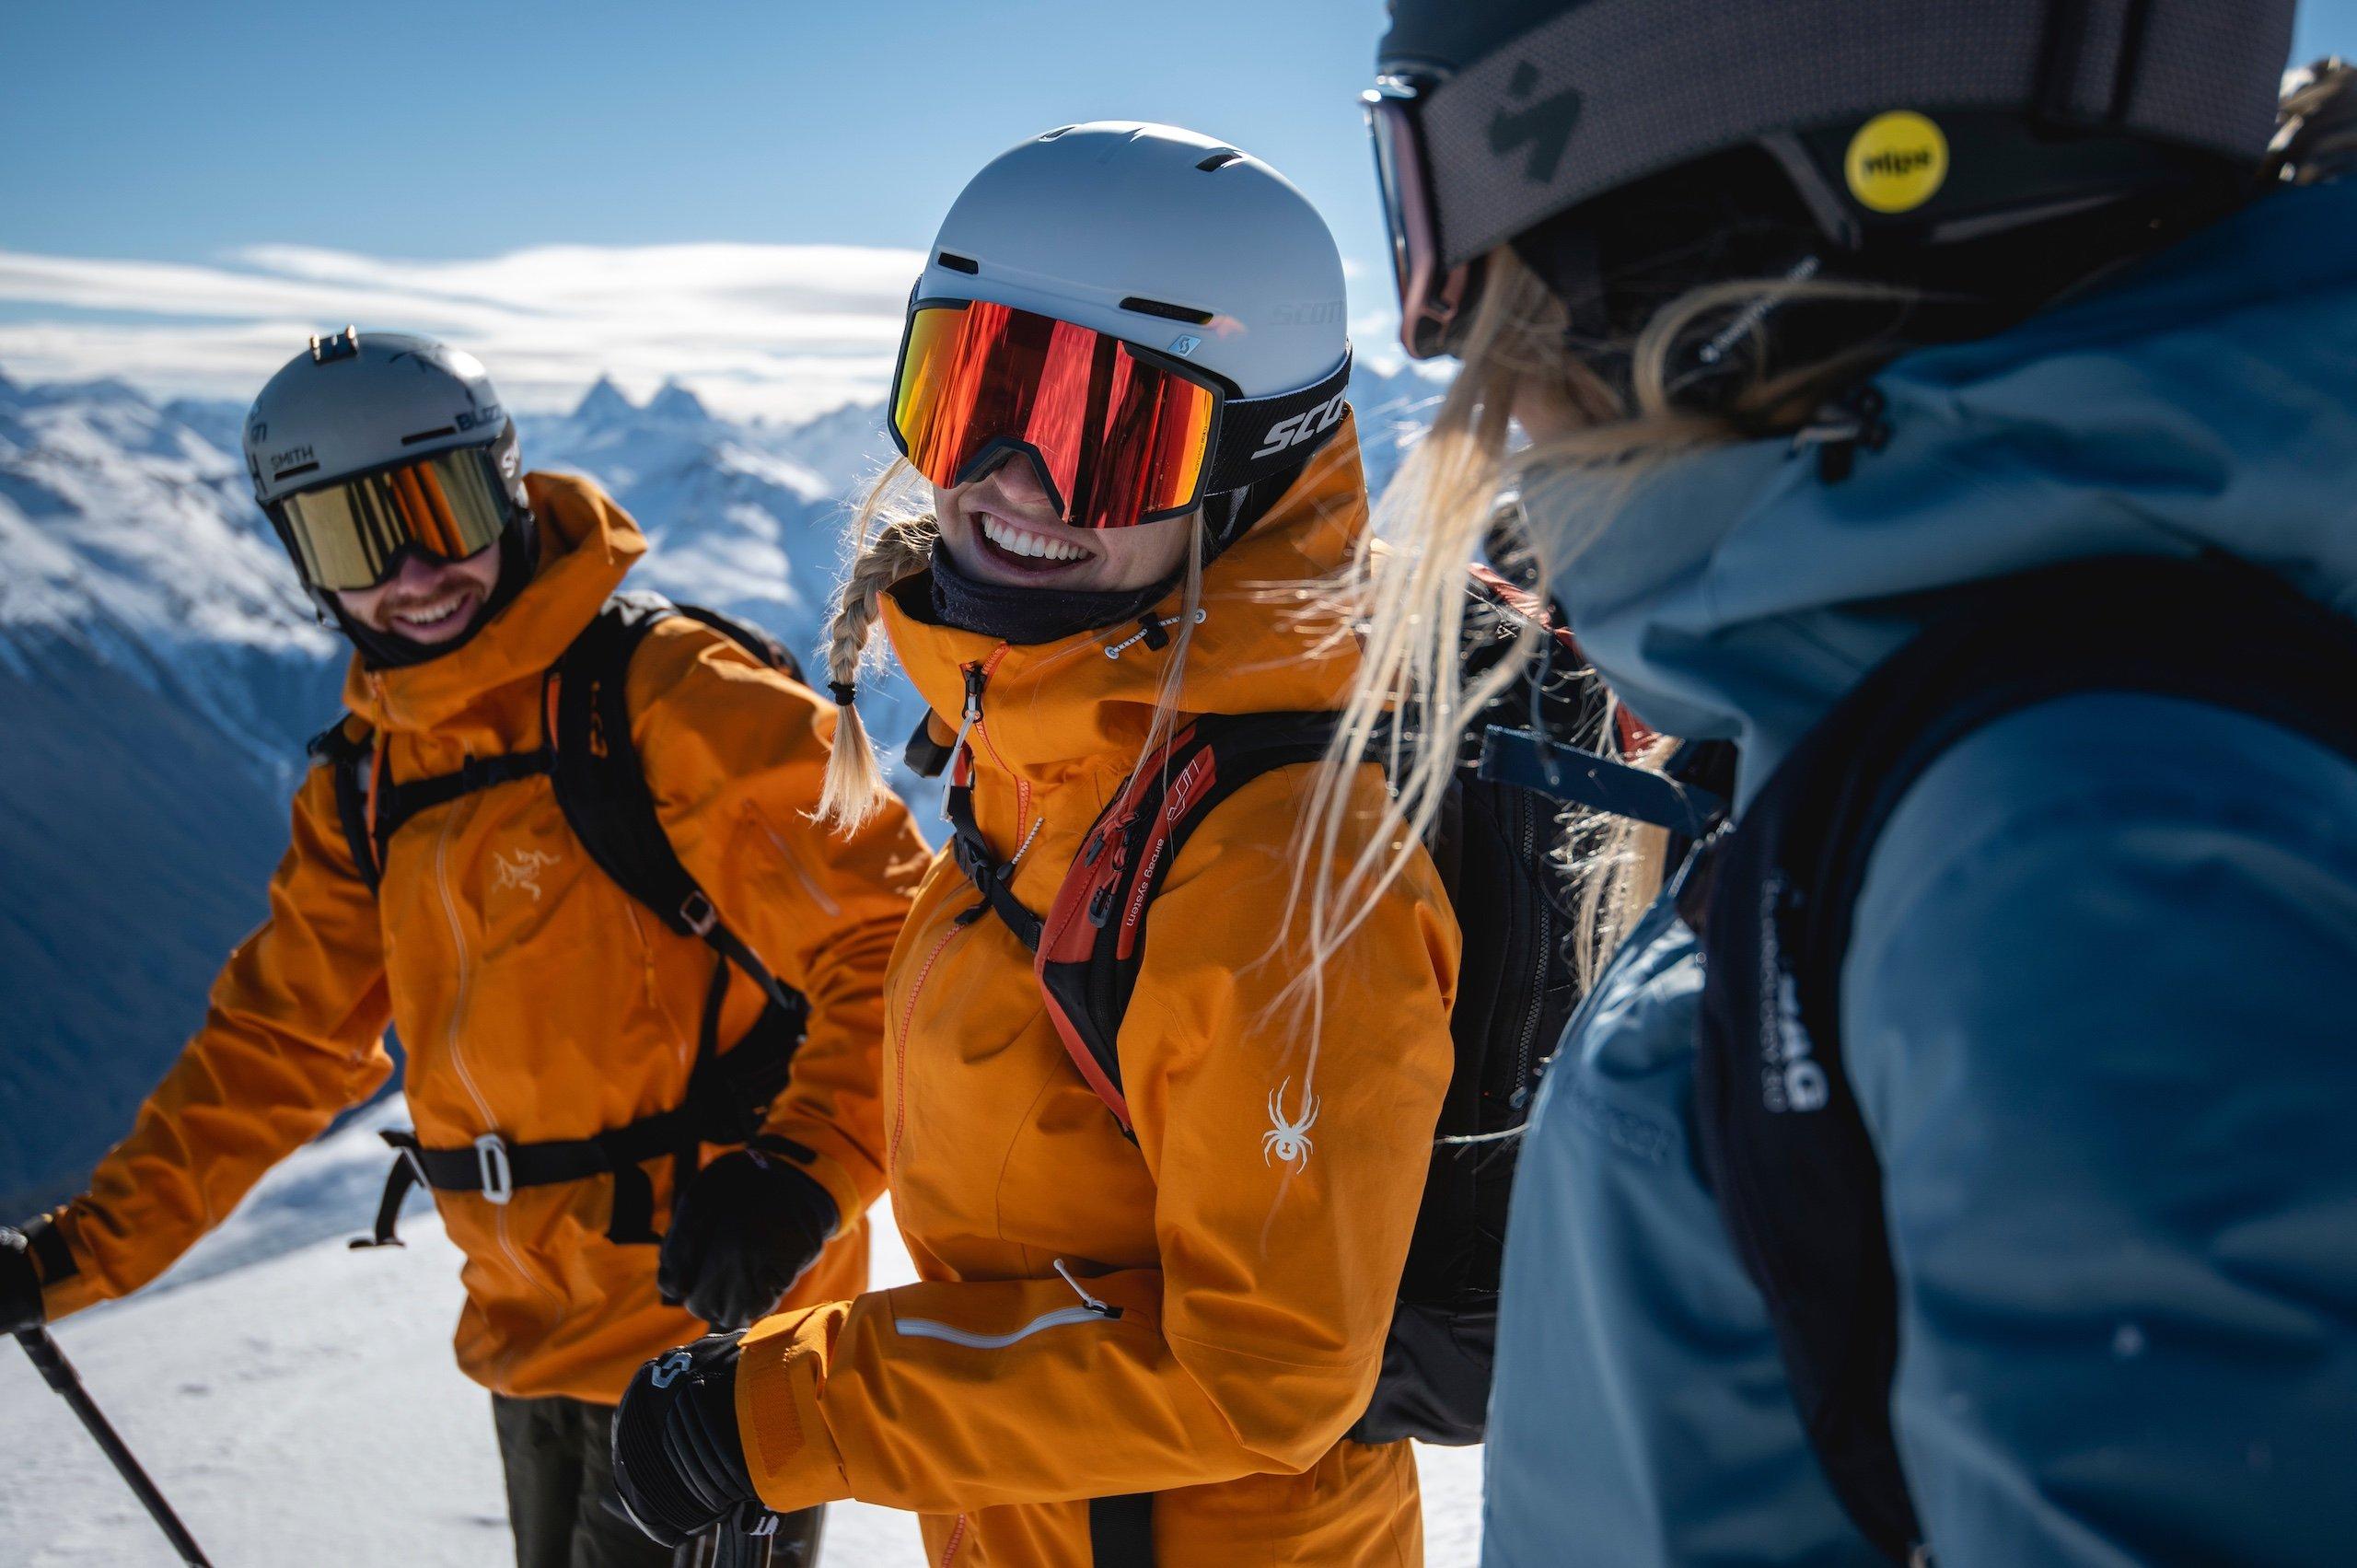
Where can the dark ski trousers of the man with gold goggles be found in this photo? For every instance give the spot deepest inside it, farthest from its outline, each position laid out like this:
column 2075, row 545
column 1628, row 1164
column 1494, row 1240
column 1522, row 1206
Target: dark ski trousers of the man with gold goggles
column 565, row 1510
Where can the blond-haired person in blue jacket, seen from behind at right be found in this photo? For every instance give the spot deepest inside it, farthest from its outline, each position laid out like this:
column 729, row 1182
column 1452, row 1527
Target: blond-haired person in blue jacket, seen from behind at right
column 1821, row 315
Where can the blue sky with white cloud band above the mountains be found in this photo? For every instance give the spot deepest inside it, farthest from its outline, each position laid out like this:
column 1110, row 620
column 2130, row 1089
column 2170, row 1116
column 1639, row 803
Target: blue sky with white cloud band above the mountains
column 185, row 190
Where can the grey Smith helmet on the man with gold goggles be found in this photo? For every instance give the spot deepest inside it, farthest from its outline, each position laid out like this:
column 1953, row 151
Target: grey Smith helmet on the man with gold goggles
column 364, row 402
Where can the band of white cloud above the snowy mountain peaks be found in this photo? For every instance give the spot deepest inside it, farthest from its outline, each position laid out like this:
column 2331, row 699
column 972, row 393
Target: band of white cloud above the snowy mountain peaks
column 758, row 331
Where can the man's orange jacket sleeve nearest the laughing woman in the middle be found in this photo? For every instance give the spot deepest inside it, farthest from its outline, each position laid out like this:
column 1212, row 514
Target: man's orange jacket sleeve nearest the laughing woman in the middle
column 737, row 756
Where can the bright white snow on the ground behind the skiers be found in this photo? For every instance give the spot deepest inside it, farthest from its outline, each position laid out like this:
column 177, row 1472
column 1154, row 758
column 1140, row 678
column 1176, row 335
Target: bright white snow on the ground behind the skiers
column 298, row 1404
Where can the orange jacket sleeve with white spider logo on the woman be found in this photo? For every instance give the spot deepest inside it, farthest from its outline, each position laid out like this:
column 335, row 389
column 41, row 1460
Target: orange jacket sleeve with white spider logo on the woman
column 1257, row 1340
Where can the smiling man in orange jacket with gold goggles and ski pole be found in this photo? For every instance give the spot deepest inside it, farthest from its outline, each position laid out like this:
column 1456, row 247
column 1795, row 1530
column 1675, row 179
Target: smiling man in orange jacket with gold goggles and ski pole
column 576, row 1060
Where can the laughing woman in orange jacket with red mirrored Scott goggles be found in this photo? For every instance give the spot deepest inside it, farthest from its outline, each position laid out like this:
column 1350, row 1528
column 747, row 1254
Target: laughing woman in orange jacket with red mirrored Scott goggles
column 1142, row 1333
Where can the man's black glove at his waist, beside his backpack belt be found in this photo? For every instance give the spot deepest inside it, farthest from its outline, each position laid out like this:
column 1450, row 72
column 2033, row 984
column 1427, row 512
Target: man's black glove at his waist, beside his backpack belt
column 744, row 1232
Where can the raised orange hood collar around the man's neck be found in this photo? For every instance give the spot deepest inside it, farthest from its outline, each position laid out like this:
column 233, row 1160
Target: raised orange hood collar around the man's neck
column 588, row 543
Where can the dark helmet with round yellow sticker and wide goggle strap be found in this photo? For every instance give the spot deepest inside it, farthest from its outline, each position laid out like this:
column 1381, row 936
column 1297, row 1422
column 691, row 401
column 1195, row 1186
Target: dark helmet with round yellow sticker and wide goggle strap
column 1896, row 126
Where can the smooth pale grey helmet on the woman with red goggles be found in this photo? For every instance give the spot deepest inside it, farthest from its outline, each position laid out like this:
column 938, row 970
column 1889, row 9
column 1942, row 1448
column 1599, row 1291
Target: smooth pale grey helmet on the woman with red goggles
column 1158, row 237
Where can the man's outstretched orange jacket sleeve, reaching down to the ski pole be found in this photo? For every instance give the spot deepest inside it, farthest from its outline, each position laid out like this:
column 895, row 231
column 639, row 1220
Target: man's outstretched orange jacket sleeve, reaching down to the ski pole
column 296, row 1034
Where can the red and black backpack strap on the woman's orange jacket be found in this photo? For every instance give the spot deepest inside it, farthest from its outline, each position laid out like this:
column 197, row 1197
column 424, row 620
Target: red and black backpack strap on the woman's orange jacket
column 1095, row 933
